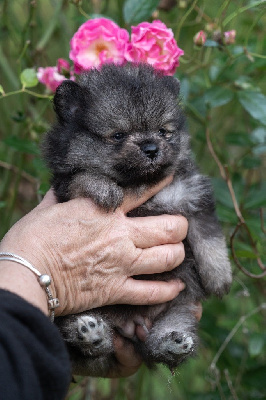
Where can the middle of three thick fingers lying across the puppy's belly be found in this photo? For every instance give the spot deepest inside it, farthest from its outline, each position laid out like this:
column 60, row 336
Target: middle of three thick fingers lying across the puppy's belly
column 158, row 259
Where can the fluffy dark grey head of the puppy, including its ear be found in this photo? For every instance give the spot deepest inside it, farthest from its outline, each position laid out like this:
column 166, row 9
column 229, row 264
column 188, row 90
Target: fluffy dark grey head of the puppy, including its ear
column 122, row 122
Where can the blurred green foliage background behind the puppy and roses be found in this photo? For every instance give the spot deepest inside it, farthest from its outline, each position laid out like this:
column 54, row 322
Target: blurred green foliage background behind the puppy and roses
column 223, row 90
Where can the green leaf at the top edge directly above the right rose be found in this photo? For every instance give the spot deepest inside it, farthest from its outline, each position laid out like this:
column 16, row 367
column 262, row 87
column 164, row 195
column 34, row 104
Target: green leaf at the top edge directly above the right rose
column 138, row 10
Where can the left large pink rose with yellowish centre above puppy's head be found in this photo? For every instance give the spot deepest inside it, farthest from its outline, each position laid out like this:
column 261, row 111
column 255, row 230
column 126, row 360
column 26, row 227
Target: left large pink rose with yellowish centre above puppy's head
column 98, row 41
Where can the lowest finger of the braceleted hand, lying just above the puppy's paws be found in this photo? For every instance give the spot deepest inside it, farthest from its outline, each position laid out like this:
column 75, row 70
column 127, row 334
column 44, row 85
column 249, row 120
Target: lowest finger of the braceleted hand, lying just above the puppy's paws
column 140, row 292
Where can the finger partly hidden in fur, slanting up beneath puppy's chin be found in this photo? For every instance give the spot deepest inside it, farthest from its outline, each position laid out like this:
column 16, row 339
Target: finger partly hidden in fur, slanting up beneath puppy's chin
column 130, row 202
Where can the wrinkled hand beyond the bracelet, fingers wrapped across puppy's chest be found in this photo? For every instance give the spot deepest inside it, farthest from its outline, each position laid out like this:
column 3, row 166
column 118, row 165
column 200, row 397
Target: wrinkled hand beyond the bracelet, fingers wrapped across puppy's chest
column 92, row 255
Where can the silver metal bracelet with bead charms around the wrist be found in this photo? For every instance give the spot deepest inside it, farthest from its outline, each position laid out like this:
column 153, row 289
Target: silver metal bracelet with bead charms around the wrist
column 44, row 279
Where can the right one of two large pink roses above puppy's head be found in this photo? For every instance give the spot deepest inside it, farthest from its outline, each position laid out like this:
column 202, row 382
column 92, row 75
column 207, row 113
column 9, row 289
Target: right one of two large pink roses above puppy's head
column 154, row 44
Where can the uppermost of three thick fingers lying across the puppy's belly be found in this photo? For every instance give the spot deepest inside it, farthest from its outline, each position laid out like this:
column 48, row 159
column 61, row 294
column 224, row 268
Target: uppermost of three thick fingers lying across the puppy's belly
column 154, row 231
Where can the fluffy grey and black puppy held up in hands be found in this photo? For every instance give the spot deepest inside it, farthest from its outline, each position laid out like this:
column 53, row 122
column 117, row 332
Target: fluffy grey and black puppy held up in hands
column 118, row 130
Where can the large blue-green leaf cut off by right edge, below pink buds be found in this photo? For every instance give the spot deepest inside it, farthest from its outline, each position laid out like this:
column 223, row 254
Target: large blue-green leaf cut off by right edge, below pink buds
column 254, row 103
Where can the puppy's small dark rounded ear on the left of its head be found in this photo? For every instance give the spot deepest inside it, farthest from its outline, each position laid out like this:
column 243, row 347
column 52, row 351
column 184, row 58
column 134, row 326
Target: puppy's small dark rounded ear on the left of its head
column 68, row 100
